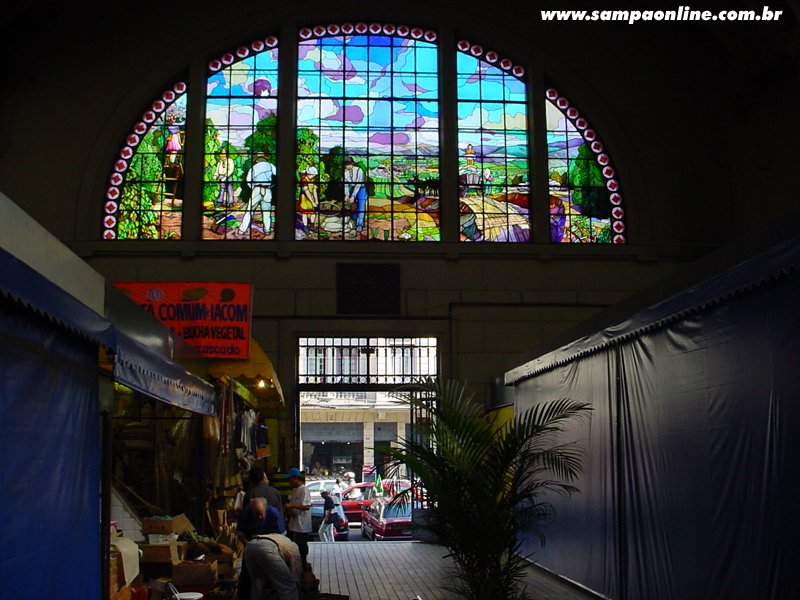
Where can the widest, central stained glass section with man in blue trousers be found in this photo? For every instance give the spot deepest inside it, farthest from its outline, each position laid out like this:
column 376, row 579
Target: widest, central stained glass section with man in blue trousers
column 367, row 134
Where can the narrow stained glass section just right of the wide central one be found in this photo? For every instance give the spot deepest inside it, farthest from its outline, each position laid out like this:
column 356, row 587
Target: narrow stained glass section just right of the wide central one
column 493, row 147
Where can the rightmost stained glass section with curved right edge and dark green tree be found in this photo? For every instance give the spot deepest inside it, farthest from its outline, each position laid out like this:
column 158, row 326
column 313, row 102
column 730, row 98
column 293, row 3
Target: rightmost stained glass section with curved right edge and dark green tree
column 585, row 202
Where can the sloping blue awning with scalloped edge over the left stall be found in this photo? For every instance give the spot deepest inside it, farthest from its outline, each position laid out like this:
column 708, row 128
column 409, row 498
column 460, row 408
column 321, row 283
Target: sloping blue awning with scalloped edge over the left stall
column 135, row 365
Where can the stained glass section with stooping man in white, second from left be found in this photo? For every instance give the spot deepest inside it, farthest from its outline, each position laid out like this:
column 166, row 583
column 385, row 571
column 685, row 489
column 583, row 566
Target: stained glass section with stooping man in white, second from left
column 241, row 143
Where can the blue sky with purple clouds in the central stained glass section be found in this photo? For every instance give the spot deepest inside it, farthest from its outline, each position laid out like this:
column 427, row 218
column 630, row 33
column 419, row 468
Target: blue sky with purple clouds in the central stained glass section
column 384, row 89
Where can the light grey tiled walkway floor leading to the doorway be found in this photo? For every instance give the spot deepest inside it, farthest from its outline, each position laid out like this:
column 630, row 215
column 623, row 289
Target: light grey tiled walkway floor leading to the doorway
column 408, row 571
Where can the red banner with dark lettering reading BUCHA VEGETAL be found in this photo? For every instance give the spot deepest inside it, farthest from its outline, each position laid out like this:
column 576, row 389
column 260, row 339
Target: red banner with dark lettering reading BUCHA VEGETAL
column 212, row 317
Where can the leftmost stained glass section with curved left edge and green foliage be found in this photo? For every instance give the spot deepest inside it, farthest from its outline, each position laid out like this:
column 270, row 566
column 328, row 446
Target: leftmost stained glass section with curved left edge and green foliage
column 144, row 197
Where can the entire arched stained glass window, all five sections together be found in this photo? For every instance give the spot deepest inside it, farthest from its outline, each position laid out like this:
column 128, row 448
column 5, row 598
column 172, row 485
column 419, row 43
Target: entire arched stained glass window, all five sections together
column 368, row 148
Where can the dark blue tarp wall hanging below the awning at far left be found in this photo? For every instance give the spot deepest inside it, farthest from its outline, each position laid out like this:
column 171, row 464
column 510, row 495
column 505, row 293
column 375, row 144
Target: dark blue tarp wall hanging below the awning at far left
column 49, row 459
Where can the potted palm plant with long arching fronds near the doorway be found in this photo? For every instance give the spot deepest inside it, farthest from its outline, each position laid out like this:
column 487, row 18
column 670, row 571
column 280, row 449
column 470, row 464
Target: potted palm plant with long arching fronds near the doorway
column 484, row 484
